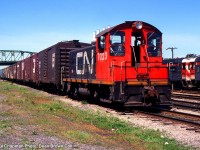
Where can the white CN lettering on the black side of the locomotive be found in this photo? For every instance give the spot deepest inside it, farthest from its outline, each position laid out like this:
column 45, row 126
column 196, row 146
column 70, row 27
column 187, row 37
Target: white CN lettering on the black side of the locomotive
column 83, row 62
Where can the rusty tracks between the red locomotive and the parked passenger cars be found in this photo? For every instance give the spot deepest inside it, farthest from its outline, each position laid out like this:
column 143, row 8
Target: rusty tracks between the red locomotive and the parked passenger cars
column 190, row 100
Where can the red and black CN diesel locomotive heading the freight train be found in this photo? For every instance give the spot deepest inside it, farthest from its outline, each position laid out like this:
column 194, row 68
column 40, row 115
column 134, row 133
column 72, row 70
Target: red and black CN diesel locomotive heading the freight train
column 125, row 65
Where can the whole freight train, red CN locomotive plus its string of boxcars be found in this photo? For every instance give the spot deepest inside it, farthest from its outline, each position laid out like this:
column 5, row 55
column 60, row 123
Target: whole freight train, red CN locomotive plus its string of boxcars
column 123, row 65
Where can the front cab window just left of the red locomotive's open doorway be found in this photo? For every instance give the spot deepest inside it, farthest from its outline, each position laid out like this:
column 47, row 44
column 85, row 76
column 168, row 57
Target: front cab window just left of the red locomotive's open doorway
column 117, row 40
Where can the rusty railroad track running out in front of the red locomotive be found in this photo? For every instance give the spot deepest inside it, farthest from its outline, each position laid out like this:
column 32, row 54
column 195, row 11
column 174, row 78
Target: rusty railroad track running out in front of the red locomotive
column 188, row 119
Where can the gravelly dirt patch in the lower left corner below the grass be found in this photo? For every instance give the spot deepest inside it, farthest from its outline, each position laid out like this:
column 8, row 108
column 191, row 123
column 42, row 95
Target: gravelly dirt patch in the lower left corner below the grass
column 22, row 135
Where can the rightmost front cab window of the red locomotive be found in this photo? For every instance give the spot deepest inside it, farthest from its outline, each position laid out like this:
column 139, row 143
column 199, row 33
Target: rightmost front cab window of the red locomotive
column 154, row 44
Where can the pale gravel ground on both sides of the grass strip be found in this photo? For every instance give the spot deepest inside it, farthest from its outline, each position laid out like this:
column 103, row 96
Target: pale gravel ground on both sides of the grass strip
column 30, row 137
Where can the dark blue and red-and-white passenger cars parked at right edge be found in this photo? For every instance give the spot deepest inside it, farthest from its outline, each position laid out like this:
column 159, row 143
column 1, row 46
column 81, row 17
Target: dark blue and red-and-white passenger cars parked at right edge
column 184, row 72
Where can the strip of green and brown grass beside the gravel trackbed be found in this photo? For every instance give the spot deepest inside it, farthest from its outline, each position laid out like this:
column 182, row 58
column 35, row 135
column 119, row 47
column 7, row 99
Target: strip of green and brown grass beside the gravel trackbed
column 56, row 118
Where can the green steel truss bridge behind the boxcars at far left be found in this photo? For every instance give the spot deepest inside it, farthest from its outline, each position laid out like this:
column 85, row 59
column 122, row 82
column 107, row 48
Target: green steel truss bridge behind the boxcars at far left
column 9, row 57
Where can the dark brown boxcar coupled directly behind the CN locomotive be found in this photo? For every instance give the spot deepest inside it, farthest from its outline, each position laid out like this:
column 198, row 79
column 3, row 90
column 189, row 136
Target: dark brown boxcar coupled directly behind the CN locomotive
column 54, row 60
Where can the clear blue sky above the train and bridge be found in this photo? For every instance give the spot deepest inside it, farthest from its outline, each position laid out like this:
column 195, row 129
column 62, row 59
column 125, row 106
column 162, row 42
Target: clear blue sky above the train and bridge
column 33, row 25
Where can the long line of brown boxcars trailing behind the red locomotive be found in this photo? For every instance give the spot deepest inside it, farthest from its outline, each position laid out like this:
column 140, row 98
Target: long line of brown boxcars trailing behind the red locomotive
column 46, row 68
